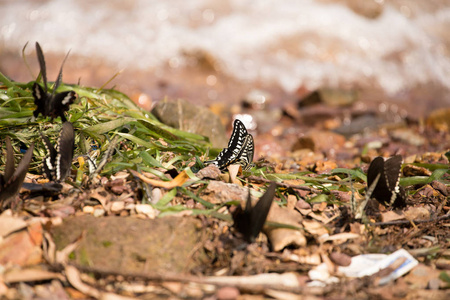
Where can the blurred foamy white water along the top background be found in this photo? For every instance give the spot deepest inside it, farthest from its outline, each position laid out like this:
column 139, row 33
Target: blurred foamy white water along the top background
column 290, row 42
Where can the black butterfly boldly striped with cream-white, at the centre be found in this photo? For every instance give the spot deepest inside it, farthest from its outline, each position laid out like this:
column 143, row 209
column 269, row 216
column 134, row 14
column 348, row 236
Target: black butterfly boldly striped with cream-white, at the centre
column 240, row 149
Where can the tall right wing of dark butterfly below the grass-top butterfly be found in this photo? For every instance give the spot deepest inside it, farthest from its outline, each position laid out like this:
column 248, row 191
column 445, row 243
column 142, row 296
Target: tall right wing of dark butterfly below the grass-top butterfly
column 66, row 143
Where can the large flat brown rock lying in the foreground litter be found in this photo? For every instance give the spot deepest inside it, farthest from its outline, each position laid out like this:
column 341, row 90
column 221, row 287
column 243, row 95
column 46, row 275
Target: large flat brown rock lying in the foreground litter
column 133, row 245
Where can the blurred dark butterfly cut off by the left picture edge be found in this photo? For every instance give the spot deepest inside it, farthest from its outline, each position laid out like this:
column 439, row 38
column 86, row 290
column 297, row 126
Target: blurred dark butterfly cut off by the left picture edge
column 12, row 179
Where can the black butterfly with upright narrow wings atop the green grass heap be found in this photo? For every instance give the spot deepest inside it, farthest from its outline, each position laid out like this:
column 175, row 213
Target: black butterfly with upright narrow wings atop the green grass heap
column 51, row 105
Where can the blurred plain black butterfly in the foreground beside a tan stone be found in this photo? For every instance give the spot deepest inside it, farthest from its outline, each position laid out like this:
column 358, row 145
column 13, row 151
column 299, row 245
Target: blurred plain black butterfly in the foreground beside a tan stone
column 250, row 221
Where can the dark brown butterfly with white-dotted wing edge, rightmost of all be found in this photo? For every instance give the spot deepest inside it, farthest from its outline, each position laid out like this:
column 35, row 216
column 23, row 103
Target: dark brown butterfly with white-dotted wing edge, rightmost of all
column 387, row 190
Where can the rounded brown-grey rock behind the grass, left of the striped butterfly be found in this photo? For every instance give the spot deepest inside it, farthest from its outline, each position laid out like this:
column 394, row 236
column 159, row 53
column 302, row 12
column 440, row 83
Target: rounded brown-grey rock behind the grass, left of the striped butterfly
column 192, row 118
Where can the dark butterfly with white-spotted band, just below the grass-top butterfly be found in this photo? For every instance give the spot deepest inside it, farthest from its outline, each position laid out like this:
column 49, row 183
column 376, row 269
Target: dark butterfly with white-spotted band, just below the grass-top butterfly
column 58, row 162
